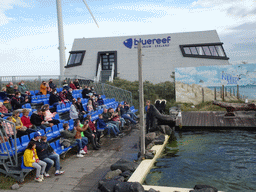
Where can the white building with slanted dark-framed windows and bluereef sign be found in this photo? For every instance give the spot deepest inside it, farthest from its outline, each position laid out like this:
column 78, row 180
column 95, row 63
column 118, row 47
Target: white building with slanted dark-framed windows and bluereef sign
column 110, row 57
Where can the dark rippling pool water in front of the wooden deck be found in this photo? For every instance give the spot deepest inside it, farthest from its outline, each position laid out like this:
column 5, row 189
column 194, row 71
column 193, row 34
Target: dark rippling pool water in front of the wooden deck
column 223, row 159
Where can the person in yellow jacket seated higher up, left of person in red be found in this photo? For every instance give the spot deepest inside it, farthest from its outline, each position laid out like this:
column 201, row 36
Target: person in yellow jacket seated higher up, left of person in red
column 21, row 129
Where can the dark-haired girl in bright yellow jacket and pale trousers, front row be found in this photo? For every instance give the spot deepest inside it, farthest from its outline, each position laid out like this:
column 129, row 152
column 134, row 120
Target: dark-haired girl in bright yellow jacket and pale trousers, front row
column 31, row 160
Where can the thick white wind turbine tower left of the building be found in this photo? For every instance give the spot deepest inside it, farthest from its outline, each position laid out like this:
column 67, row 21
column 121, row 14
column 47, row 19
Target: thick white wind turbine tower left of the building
column 61, row 39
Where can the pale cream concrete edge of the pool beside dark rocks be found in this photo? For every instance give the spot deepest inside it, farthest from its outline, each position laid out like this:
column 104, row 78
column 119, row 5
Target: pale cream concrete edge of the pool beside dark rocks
column 145, row 166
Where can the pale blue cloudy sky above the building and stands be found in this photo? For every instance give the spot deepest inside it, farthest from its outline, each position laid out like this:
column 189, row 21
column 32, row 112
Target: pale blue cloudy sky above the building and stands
column 29, row 33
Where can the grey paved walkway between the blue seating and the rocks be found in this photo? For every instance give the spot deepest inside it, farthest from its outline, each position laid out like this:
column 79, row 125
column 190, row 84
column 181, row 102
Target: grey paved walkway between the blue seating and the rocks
column 83, row 174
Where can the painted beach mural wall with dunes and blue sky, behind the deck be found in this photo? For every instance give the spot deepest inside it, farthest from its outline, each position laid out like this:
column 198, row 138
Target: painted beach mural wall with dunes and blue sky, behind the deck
column 192, row 82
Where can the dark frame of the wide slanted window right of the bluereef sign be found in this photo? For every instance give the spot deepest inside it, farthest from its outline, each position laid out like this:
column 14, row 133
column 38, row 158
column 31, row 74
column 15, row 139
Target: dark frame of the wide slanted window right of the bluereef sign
column 204, row 56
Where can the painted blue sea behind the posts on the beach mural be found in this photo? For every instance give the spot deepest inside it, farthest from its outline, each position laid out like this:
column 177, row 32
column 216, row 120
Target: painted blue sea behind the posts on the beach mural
column 249, row 90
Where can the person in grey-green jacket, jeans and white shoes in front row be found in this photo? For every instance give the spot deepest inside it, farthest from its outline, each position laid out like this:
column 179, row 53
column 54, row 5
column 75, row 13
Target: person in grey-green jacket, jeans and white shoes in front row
column 70, row 135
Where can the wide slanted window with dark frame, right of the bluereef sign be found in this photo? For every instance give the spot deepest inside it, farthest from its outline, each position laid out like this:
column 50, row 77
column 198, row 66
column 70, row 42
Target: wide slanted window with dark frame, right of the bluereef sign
column 208, row 51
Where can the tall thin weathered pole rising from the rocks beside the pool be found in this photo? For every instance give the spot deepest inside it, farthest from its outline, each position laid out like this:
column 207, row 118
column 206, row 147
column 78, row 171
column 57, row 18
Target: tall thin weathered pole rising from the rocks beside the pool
column 141, row 99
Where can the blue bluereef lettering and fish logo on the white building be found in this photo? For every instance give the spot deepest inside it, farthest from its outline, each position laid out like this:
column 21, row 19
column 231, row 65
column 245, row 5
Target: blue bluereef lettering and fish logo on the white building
column 147, row 43
